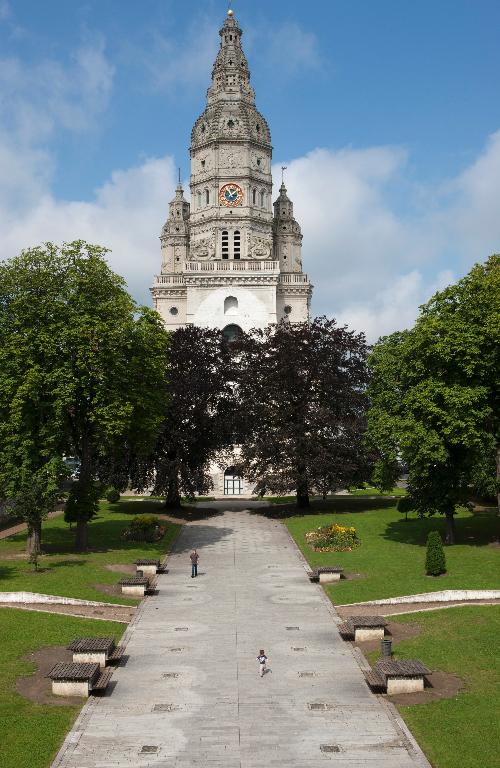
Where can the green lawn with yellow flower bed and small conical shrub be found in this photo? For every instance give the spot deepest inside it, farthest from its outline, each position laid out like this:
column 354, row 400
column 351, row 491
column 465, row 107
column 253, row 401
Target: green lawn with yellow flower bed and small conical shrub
column 392, row 553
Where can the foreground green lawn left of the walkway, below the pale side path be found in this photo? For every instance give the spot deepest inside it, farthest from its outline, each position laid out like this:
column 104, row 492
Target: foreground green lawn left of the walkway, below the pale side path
column 31, row 734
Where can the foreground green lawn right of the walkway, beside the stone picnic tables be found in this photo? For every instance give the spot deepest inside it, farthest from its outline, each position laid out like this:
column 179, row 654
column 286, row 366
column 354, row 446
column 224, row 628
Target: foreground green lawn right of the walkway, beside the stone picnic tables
column 460, row 732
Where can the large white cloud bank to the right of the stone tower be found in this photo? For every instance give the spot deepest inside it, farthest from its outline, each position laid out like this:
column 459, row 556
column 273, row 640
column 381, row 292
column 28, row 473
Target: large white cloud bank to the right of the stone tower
column 371, row 265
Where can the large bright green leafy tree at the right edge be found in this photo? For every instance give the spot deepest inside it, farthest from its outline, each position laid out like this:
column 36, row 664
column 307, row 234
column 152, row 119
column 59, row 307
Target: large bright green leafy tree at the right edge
column 434, row 395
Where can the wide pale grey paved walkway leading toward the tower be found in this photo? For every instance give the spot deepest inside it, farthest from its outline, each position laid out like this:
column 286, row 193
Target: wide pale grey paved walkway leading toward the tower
column 190, row 696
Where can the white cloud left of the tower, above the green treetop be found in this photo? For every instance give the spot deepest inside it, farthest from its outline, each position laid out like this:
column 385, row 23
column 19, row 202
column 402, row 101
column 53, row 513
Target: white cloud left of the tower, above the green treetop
column 126, row 216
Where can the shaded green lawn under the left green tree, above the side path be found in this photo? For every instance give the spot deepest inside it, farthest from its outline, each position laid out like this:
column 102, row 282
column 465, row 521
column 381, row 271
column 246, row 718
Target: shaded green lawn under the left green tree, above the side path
column 71, row 574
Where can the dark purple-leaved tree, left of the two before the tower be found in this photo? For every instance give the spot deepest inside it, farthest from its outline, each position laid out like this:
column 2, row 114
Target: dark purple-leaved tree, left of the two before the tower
column 200, row 418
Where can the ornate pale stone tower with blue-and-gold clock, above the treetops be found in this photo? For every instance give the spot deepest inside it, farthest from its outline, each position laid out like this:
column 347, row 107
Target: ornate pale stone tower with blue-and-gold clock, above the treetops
column 228, row 260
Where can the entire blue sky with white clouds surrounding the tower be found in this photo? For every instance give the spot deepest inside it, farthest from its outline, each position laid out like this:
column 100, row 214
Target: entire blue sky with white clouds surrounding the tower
column 387, row 114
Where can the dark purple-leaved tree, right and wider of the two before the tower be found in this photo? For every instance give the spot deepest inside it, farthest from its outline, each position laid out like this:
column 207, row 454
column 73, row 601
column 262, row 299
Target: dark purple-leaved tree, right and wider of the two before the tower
column 302, row 389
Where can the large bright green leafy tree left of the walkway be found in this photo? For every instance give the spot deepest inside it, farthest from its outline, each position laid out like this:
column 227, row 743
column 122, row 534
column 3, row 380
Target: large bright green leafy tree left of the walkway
column 82, row 373
